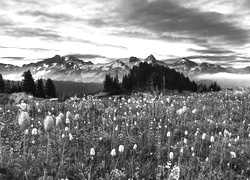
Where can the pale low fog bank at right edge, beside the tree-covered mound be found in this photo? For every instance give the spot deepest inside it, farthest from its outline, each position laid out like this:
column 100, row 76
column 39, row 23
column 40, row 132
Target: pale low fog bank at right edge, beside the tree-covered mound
column 226, row 80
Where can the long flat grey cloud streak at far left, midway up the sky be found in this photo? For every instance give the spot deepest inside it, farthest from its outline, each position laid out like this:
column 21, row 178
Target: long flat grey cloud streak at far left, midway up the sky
column 34, row 32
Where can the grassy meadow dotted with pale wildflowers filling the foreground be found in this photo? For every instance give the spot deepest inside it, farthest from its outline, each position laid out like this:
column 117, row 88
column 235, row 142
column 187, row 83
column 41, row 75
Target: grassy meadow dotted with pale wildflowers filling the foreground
column 143, row 136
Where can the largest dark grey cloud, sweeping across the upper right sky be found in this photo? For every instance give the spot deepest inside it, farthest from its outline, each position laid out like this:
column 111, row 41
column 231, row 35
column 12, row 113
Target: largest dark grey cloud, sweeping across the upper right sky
column 168, row 17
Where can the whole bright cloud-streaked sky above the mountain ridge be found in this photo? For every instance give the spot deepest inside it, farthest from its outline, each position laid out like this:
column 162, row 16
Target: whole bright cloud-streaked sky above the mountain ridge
column 104, row 30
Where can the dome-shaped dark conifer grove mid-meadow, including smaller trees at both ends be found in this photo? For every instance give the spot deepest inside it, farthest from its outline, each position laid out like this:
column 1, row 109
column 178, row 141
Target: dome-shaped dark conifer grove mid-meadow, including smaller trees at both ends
column 148, row 77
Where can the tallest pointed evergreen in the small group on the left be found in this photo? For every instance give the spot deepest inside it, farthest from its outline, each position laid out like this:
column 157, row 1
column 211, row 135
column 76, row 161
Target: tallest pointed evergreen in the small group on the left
column 28, row 83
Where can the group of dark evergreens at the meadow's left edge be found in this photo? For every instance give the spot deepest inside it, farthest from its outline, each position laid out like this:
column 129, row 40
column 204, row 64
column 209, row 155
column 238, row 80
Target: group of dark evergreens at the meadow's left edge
column 29, row 85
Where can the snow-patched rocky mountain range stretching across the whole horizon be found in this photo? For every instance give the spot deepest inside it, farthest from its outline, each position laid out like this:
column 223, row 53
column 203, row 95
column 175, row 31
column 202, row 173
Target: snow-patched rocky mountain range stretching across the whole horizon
column 70, row 68
